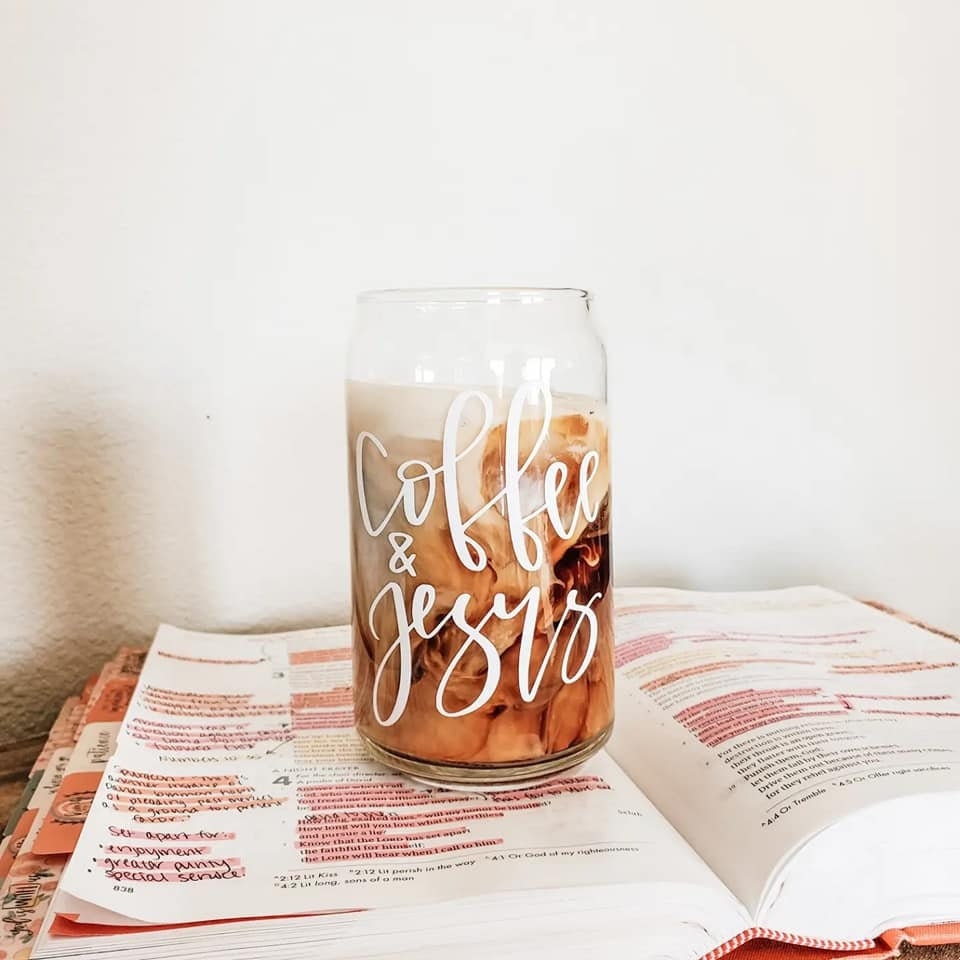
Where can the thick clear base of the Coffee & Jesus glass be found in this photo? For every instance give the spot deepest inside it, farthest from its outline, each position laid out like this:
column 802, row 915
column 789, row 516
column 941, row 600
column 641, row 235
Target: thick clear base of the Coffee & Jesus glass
column 487, row 776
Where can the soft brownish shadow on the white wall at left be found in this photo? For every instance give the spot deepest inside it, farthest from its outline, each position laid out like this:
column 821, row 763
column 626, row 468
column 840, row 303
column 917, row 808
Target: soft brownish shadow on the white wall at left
column 101, row 528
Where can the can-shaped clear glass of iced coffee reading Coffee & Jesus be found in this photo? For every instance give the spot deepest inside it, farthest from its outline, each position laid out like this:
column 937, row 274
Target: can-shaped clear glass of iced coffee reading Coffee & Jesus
column 480, row 509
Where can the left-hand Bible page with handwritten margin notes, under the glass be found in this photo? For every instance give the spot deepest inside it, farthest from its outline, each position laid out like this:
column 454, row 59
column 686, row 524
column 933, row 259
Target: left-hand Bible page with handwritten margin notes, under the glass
column 240, row 789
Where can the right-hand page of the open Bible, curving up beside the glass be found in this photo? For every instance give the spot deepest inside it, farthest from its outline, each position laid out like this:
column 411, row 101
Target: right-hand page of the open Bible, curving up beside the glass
column 755, row 720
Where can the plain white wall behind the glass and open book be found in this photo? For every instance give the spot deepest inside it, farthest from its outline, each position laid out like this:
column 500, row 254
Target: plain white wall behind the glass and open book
column 763, row 195
